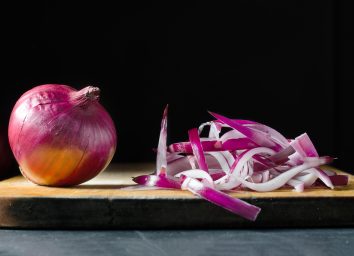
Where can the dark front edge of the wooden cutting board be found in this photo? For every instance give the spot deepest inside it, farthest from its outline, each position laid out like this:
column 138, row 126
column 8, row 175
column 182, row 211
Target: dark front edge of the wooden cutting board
column 96, row 213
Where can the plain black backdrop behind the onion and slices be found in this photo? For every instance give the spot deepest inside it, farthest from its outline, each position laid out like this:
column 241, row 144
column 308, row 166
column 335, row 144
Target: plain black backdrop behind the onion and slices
column 287, row 64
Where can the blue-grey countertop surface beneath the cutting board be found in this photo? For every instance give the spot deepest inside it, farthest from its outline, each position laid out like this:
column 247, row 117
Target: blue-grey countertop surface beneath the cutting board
column 179, row 242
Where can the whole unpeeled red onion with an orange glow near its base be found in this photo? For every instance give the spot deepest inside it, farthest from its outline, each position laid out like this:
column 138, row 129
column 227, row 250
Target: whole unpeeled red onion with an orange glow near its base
column 61, row 136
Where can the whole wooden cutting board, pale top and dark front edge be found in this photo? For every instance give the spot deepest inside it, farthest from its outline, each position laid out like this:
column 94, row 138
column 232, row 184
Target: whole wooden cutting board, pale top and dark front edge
column 102, row 204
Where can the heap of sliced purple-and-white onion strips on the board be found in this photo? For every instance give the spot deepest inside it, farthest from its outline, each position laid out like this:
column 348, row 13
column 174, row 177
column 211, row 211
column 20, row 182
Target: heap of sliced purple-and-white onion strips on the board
column 238, row 155
